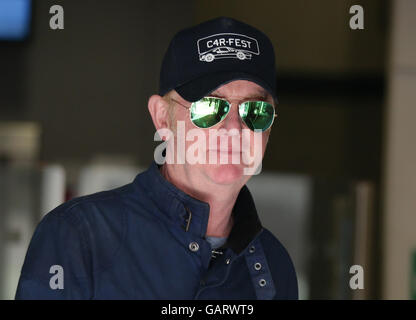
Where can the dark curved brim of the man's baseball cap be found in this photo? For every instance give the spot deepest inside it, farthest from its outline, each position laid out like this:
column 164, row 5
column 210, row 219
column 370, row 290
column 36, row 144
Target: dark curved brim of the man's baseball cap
column 198, row 88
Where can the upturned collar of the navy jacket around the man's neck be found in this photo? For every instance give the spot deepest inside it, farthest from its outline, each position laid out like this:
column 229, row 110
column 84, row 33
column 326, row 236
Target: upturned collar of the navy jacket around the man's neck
column 192, row 214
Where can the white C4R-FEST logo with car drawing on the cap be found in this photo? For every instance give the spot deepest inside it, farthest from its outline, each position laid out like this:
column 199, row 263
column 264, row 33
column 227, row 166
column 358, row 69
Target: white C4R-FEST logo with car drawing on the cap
column 227, row 45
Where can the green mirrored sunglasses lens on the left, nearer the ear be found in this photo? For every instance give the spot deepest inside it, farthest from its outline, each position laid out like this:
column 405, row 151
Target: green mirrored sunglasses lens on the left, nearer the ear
column 208, row 111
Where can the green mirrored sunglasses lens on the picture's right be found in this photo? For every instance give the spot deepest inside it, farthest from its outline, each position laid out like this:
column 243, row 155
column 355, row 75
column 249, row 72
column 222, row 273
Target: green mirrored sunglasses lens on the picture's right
column 257, row 114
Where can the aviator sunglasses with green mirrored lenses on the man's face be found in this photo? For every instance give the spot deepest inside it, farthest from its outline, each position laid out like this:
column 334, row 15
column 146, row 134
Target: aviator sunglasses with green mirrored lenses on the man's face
column 209, row 111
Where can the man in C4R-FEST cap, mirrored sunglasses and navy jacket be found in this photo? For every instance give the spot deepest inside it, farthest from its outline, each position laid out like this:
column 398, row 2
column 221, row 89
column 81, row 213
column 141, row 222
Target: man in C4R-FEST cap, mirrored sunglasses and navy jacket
column 186, row 228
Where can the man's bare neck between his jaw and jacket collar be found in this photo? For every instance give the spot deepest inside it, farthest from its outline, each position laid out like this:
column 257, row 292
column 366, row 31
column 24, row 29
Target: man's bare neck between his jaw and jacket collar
column 221, row 199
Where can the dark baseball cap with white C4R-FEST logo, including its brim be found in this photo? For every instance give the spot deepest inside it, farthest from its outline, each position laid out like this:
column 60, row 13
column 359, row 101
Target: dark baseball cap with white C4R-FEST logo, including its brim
column 204, row 57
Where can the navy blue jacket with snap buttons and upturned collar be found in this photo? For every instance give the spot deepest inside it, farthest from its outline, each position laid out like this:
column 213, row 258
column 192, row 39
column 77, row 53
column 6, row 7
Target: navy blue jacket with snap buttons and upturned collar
column 146, row 240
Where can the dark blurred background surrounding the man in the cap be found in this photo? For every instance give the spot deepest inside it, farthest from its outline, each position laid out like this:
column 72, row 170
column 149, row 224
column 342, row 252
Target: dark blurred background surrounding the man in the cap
column 338, row 185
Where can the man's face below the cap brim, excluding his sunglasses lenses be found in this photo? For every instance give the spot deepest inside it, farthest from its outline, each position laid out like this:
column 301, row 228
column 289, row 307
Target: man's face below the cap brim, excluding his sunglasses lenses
column 219, row 142
